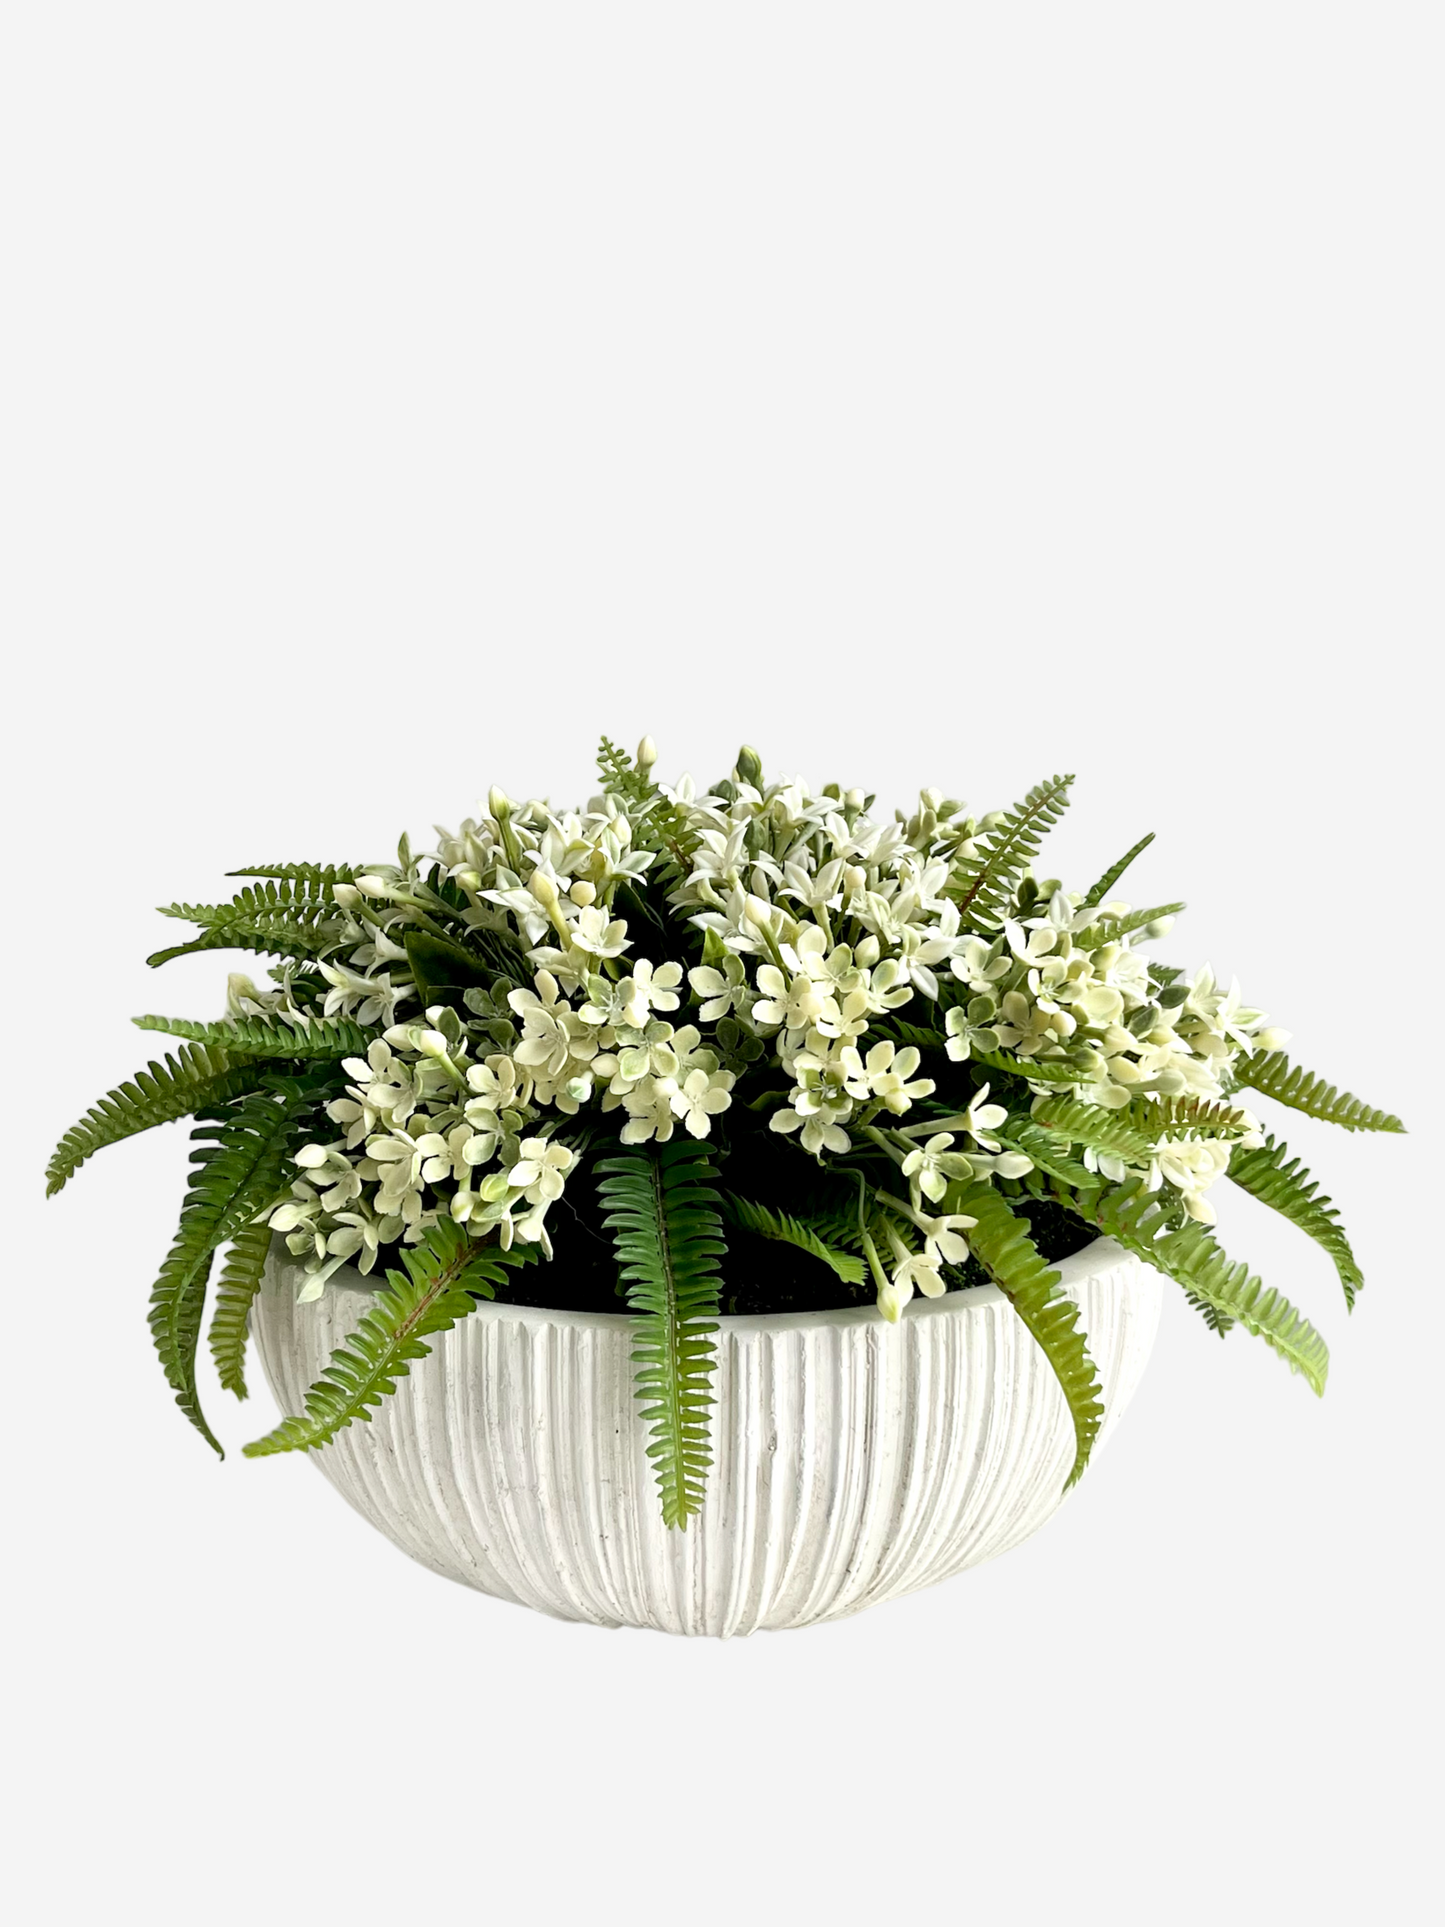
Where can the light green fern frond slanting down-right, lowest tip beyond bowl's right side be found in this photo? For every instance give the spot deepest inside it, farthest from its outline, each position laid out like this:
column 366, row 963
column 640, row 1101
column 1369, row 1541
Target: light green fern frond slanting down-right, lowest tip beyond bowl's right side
column 1140, row 1221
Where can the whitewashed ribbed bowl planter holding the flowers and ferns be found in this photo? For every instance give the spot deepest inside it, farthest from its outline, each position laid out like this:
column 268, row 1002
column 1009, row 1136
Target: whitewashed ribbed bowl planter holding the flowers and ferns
column 853, row 1462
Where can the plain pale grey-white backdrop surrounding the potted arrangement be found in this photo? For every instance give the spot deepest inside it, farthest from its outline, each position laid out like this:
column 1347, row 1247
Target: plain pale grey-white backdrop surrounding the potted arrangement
column 394, row 400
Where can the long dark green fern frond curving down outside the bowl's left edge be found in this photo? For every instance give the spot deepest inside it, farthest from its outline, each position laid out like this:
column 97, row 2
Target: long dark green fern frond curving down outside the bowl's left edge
column 238, row 1171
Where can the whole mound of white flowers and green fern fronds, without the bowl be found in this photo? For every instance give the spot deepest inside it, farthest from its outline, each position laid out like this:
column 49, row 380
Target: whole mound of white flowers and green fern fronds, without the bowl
column 702, row 1028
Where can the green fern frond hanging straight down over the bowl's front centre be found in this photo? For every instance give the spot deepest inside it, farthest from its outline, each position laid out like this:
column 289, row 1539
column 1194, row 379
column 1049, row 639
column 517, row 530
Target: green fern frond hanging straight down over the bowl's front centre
column 666, row 1219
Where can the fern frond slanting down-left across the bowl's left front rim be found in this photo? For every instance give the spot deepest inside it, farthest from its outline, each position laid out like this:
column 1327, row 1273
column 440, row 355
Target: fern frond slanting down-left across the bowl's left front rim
column 438, row 1286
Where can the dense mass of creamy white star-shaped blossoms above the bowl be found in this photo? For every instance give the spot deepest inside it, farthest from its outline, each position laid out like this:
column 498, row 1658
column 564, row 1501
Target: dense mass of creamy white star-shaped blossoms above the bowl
column 797, row 926
